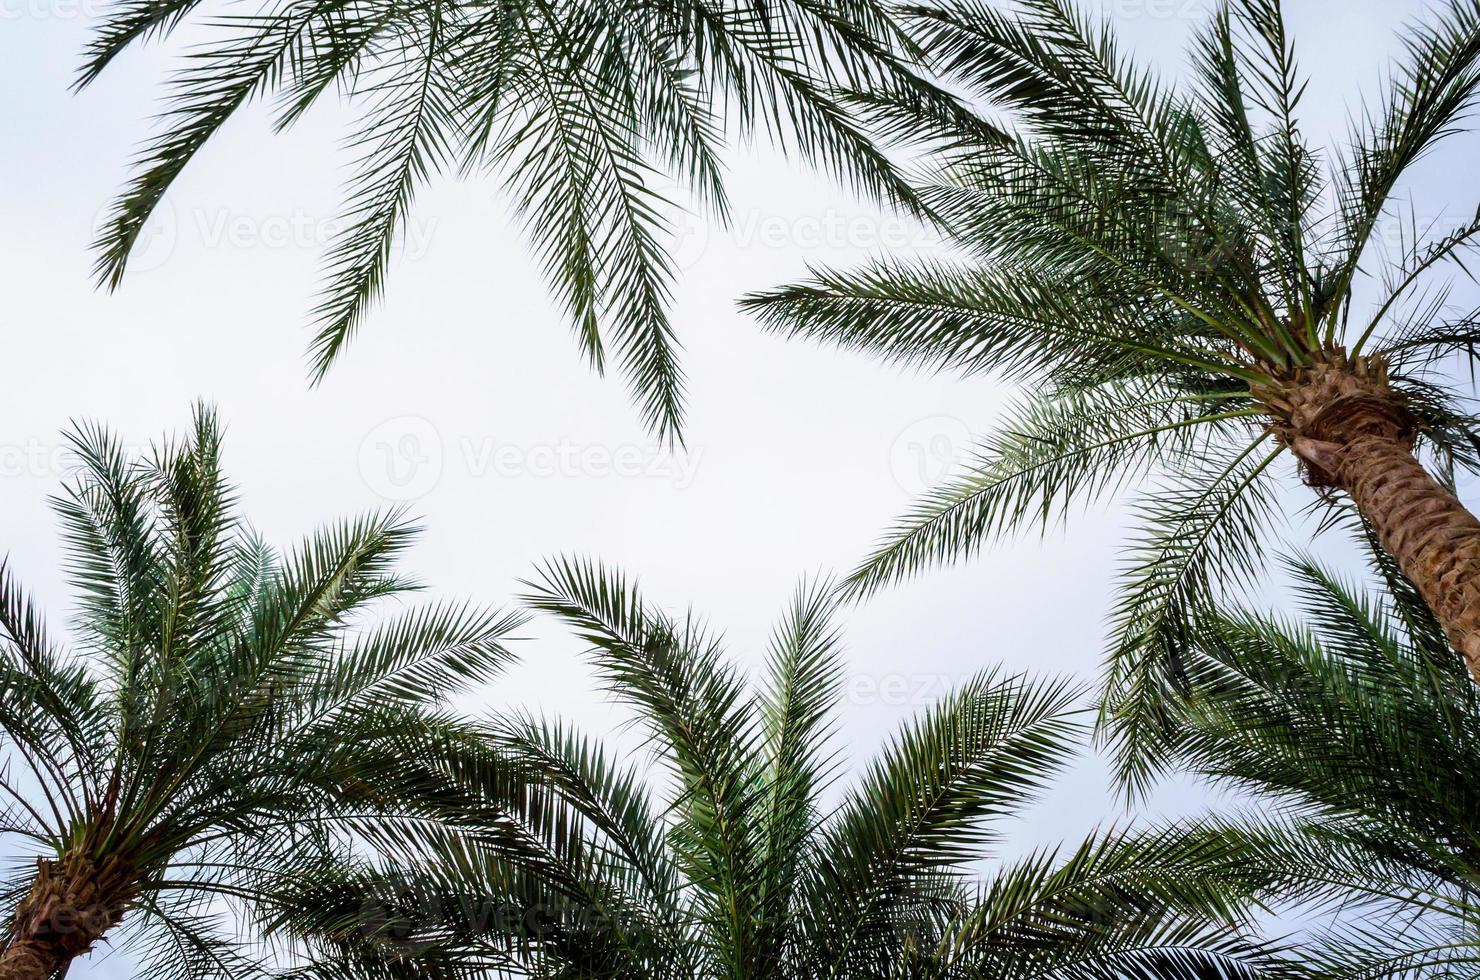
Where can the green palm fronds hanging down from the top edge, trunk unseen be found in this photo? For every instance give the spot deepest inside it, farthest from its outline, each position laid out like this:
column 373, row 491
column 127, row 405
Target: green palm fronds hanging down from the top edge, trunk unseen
column 584, row 107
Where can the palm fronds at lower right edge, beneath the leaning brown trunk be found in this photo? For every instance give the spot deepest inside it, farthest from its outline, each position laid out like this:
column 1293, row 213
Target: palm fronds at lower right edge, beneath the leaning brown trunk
column 1358, row 731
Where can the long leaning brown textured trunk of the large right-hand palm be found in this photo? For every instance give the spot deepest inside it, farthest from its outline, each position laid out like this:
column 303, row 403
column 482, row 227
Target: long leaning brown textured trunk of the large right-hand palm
column 1352, row 432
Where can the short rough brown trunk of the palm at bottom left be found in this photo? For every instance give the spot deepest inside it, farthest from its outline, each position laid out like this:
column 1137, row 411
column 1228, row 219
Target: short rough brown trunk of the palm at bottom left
column 73, row 904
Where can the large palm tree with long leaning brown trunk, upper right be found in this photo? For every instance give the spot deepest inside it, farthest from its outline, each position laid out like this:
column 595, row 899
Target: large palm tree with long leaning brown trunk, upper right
column 1173, row 273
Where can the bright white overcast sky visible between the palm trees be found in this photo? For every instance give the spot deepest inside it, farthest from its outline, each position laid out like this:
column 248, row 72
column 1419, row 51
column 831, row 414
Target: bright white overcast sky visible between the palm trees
column 465, row 396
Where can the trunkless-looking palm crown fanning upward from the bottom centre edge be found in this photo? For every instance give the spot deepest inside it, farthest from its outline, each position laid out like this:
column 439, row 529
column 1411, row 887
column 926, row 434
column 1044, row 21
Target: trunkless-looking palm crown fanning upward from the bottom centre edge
column 750, row 864
